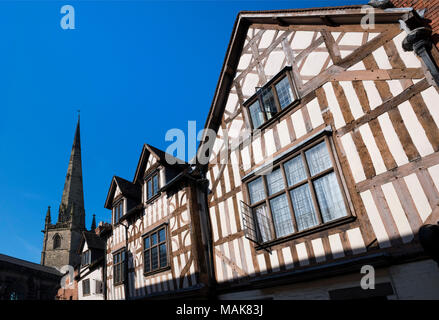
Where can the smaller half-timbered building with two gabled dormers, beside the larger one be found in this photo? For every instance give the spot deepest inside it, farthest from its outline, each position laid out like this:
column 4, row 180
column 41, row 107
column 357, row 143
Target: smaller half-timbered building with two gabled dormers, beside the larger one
column 155, row 247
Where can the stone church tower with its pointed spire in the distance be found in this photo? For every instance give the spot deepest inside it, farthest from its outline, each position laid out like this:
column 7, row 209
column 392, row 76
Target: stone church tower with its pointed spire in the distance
column 61, row 240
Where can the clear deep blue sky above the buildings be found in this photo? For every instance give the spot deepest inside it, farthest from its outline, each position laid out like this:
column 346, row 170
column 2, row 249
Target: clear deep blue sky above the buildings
column 134, row 68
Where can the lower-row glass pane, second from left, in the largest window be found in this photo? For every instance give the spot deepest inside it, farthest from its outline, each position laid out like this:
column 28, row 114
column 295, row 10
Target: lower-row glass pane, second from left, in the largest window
column 283, row 224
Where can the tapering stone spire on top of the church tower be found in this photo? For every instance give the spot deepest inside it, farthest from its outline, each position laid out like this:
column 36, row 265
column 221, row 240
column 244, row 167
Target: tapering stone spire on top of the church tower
column 72, row 202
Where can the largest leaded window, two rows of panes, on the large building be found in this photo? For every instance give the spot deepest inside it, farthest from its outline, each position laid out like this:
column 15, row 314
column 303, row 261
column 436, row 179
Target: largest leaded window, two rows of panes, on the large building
column 301, row 192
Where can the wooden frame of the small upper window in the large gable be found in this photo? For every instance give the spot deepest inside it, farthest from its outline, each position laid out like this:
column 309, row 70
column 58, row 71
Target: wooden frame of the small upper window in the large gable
column 285, row 72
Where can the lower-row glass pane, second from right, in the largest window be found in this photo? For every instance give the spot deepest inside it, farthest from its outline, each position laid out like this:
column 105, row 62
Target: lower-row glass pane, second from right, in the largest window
column 303, row 207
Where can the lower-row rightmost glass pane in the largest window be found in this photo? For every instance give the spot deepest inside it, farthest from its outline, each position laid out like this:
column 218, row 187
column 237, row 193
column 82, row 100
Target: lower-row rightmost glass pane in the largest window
column 329, row 197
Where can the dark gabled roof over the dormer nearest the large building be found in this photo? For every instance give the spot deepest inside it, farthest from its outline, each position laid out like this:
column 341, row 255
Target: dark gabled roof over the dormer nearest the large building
column 161, row 156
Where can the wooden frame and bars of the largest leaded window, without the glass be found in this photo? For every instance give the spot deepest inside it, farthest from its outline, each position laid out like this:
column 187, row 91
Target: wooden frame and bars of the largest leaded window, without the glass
column 350, row 216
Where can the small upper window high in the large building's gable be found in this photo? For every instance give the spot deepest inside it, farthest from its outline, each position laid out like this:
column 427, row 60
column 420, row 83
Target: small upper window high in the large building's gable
column 275, row 96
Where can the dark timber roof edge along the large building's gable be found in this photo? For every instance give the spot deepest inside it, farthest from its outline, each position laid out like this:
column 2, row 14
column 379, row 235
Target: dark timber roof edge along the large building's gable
column 314, row 16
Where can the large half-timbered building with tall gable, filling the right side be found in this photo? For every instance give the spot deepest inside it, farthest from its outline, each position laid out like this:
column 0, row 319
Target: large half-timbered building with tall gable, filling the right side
column 326, row 156
